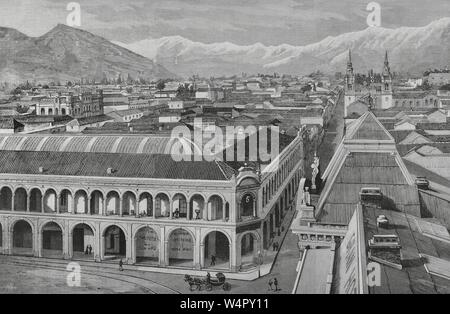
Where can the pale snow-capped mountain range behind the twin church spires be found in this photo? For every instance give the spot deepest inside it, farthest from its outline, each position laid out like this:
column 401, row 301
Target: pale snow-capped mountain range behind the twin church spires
column 411, row 49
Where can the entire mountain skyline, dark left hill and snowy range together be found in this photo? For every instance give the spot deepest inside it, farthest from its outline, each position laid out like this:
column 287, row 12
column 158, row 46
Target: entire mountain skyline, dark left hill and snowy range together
column 68, row 54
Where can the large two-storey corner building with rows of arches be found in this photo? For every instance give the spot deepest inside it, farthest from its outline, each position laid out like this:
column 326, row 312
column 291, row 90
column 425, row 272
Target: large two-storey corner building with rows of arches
column 125, row 197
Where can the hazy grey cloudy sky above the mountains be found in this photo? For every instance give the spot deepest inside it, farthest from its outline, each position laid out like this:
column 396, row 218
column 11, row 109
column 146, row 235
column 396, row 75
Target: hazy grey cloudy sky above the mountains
column 296, row 22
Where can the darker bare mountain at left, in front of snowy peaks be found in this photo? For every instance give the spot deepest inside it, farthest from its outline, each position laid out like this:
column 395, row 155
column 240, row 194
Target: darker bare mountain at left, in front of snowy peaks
column 68, row 54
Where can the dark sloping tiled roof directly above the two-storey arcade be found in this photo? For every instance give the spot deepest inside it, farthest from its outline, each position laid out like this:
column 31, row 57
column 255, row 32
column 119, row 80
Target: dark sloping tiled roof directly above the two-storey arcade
column 124, row 165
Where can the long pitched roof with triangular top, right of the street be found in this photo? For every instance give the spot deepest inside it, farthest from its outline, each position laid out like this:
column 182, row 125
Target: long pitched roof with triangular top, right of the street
column 366, row 157
